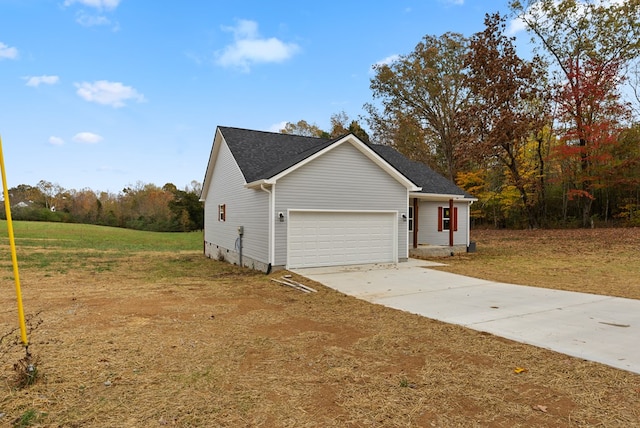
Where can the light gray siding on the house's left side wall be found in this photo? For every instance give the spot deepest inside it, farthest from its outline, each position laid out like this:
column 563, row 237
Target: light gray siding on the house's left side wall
column 244, row 207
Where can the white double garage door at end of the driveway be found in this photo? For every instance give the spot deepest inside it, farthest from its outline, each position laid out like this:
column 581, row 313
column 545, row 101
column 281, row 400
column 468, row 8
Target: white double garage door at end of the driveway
column 340, row 238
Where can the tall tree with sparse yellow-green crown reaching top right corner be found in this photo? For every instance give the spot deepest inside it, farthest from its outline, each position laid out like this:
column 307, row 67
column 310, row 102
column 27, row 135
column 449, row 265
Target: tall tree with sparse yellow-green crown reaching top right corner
column 580, row 36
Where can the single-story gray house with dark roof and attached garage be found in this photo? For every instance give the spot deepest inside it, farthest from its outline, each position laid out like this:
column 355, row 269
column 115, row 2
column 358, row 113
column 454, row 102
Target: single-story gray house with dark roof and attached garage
column 285, row 201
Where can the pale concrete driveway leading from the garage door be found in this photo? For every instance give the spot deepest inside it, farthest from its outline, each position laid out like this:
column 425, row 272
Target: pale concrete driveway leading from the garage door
column 596, row 328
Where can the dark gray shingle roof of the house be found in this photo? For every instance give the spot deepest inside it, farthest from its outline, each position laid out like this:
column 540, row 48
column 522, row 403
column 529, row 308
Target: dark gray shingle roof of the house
column 261, row 155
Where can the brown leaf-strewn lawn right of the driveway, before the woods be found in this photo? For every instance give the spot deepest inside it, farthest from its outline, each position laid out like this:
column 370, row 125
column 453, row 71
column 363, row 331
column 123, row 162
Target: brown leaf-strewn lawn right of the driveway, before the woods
column 598, row 261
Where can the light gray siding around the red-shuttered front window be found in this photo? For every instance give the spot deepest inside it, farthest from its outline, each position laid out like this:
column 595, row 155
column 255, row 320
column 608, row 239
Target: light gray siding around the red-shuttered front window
column 428, row 224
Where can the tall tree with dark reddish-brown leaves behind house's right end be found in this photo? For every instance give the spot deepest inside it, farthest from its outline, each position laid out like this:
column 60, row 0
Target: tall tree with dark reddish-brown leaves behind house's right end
column 506, row 109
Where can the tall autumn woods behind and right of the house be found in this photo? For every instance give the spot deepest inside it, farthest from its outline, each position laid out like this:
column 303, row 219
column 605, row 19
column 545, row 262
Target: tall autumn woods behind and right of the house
column 547, row 141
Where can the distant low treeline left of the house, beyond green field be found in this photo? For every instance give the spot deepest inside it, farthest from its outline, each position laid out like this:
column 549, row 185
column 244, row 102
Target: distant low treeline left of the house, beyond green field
column 142, row 207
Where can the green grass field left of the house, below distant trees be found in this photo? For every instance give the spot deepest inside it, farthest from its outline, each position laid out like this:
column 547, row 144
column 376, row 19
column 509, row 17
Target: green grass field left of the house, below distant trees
column 61, row 248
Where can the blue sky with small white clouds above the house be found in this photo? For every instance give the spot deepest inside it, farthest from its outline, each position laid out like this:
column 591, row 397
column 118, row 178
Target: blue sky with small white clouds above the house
column 103, row 94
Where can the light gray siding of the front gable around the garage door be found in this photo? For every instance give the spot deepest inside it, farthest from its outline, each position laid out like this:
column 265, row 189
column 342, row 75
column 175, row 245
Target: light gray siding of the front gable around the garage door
column 341, row 179
